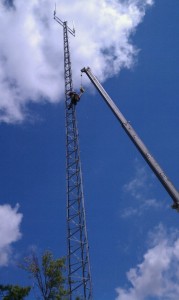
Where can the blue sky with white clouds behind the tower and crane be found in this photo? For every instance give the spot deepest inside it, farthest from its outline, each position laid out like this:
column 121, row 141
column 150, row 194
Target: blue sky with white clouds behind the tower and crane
column 132, row 231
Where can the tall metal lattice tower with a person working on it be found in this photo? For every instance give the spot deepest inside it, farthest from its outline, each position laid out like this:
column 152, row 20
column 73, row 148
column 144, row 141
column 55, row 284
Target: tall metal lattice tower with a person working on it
column 78, row 264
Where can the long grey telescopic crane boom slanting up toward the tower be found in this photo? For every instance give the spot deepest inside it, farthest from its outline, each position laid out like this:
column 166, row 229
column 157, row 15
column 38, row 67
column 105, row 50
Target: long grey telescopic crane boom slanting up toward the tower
column 167, row 184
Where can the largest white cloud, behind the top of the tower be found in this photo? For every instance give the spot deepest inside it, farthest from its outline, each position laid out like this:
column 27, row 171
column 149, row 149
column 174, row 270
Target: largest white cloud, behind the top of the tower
column 31, row 52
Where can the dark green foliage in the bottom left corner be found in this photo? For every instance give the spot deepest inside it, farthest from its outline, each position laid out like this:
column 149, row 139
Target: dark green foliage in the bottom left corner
column 13, row 292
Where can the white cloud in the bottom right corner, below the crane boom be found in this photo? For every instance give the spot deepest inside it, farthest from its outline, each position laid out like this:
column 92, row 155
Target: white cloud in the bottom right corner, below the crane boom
column 156, row 277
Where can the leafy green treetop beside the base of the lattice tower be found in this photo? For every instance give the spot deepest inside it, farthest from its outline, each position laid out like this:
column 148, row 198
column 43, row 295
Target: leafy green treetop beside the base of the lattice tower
column 47, row 274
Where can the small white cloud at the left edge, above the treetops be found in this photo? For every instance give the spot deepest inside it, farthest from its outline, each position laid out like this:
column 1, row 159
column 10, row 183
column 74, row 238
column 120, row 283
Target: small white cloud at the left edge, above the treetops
column 10, row 220
